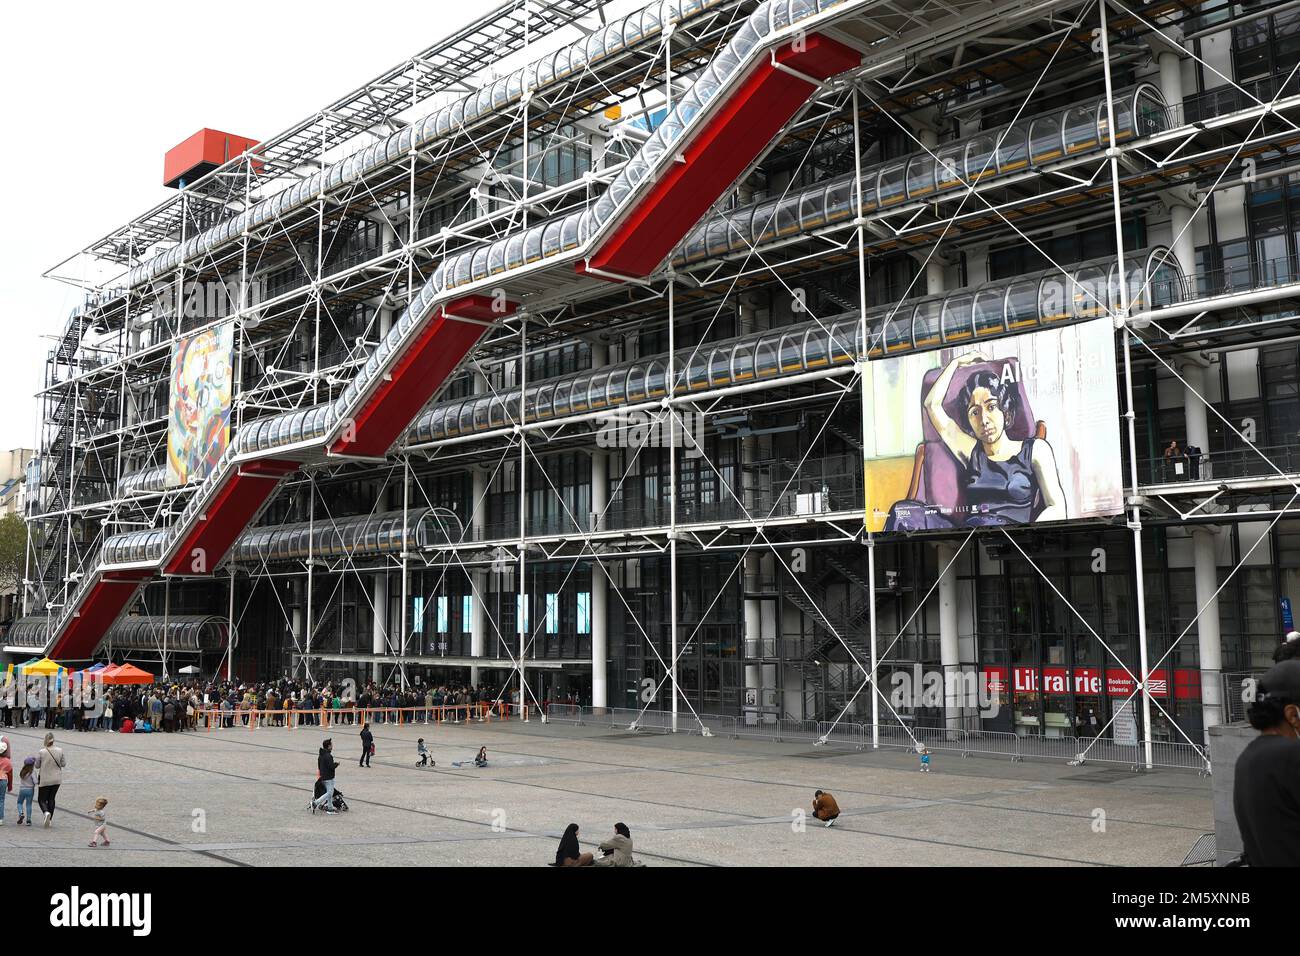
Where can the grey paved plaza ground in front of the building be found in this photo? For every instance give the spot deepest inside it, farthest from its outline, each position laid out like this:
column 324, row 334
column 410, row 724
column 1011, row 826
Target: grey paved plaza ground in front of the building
column 240, row 798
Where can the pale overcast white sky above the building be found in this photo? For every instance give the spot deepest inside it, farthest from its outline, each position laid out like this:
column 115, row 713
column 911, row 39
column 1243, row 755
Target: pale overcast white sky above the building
column 99, row 92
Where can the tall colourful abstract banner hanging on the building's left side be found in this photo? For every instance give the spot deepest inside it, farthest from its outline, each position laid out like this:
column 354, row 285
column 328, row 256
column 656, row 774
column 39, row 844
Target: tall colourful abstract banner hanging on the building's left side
column 200, row 404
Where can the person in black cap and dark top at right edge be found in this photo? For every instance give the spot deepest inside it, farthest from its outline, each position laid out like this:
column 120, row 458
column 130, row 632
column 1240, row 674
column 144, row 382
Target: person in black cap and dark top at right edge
column 1267, row 788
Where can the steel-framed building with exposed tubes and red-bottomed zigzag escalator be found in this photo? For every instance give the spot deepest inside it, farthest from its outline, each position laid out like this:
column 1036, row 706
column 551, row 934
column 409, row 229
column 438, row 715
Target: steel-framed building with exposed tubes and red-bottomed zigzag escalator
column 708, row 360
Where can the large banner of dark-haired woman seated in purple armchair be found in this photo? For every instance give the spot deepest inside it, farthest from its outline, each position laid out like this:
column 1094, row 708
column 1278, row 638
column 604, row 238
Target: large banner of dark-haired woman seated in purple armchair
column 1002, row 432
